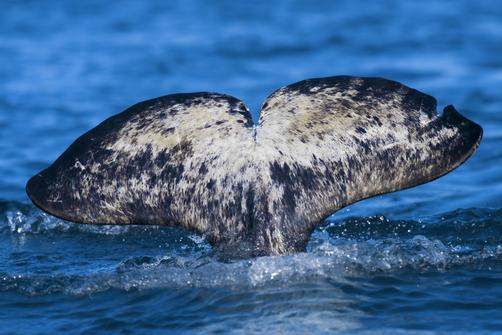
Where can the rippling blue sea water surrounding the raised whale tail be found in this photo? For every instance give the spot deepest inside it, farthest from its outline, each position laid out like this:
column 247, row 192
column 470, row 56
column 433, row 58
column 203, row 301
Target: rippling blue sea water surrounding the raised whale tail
column 426, row 260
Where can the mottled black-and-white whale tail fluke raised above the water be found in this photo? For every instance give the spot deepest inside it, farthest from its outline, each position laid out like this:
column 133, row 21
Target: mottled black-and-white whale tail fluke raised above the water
column 197, row 161
